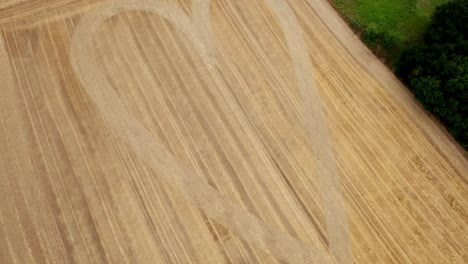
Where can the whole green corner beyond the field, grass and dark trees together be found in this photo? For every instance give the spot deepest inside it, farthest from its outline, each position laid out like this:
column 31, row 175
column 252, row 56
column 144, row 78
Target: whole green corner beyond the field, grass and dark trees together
column 429, row 55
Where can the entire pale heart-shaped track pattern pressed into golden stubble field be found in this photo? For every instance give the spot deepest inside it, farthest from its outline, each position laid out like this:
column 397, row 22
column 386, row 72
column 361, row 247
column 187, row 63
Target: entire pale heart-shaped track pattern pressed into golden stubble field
column 241, row 222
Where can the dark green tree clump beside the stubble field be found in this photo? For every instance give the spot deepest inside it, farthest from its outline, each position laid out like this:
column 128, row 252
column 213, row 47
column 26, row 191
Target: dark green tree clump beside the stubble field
column 437, row 69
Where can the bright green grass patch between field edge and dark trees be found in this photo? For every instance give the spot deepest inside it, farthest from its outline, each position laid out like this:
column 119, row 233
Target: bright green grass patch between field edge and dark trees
column 388, row 26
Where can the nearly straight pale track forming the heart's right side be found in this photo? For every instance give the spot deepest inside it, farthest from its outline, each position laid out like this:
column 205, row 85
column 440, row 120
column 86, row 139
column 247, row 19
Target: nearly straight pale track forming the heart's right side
column 329, row 181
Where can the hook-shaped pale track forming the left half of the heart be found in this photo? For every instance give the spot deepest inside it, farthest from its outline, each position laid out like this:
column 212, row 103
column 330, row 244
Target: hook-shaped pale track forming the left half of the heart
column 241, row 222
